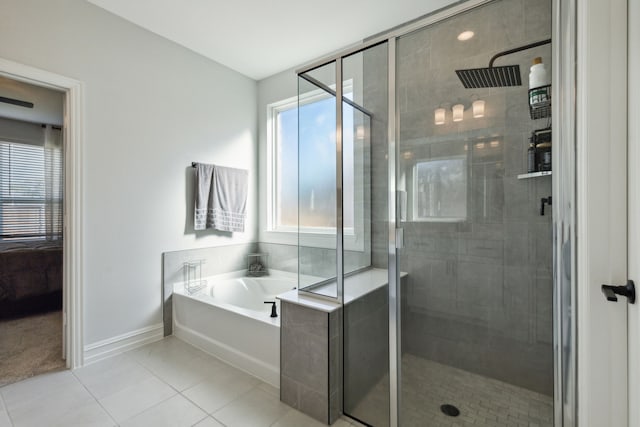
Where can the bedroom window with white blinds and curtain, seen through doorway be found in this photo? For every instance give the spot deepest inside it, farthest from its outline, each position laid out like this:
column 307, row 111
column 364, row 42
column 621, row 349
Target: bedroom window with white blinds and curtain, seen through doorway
column 30, row 192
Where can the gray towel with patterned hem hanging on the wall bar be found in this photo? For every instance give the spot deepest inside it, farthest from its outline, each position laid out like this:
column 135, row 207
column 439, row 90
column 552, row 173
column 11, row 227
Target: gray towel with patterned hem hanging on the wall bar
column 221, row 198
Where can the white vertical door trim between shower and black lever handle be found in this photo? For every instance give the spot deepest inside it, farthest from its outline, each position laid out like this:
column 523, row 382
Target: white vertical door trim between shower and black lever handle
column 602, row 227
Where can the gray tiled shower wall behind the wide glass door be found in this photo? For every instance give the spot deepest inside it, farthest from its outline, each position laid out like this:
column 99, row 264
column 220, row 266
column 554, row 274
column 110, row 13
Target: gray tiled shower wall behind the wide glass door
column 479, row 291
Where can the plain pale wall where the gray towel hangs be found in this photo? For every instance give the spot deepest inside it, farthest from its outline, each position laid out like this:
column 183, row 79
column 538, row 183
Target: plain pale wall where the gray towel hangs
column 151, row 108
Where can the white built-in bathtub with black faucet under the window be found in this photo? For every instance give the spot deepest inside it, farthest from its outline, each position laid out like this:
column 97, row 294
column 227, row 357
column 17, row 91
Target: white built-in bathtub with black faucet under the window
column 229, row 319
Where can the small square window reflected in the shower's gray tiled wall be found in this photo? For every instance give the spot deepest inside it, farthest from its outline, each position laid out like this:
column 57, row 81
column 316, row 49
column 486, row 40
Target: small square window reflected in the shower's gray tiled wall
column 440, row 189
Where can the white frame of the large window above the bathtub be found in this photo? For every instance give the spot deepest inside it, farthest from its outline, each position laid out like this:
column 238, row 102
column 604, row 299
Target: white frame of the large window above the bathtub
column 322, row 237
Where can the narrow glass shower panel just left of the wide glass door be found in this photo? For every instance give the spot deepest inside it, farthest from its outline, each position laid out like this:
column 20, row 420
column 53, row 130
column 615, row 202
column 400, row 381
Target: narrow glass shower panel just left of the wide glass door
column 365, row 192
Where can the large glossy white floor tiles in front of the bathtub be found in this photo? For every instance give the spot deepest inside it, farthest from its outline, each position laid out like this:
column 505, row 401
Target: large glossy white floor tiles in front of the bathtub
column 167, row 383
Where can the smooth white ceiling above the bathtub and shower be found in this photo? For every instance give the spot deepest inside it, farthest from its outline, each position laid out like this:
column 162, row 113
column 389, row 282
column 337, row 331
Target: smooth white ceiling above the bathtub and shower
column 260, row 38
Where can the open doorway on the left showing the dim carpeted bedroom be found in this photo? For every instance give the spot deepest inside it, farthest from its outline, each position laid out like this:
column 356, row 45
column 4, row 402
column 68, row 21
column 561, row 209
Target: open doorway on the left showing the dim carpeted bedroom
column 31, row 226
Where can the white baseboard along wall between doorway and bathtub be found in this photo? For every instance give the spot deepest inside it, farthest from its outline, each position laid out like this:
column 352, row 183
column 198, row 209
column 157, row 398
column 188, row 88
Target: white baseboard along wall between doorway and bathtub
column 121, row 343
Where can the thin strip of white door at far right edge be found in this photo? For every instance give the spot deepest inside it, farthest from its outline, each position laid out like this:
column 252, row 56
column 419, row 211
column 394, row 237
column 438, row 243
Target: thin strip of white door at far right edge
column 634, row 208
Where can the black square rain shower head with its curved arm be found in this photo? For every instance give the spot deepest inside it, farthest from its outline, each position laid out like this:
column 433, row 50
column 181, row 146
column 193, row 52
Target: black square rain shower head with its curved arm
column 491, row 76
